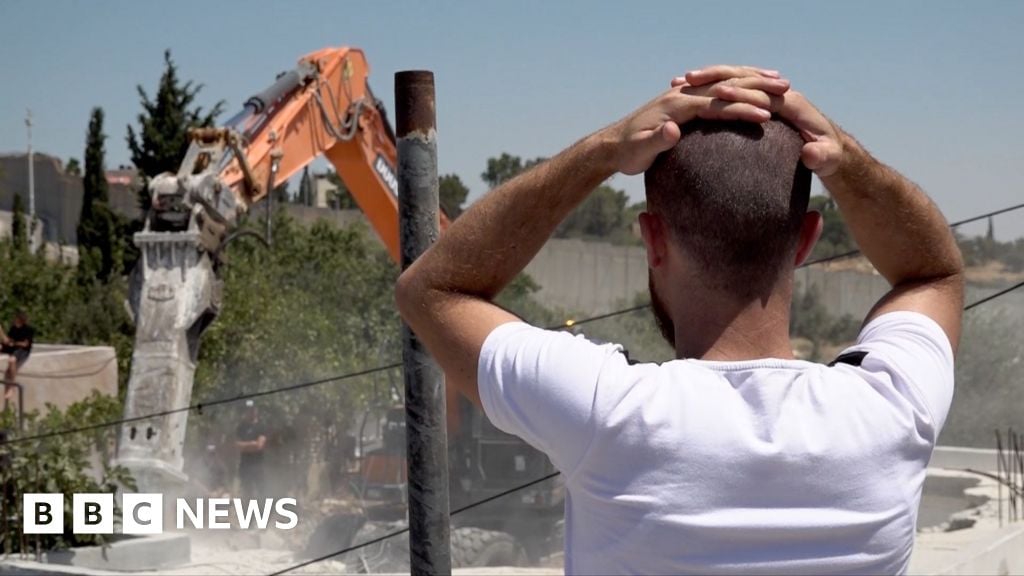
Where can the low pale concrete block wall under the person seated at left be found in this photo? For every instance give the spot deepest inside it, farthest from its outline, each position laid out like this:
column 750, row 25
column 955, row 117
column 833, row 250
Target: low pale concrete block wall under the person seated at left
column 63, row 376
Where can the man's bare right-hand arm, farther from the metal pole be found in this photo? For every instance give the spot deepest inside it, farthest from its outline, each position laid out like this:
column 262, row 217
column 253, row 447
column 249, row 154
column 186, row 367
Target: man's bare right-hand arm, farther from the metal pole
column 897, row 226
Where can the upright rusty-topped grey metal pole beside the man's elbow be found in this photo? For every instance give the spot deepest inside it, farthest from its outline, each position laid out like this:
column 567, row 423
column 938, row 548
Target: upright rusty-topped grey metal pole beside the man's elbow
column 426, row 435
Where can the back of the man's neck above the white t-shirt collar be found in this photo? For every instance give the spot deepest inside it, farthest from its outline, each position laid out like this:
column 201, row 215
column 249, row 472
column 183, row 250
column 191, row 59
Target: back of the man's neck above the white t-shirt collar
column 714, row 328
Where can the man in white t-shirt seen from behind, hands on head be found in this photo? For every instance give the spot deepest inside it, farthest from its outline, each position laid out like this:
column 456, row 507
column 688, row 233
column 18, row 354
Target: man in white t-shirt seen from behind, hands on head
column 736, row 458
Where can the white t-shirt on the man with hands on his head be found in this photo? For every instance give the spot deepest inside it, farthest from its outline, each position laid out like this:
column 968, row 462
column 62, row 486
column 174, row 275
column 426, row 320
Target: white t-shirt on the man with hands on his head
column 779, row 467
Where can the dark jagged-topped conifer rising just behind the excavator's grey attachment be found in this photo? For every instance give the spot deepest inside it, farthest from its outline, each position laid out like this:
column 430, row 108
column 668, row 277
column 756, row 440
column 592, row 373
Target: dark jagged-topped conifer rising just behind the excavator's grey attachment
column 163, row 135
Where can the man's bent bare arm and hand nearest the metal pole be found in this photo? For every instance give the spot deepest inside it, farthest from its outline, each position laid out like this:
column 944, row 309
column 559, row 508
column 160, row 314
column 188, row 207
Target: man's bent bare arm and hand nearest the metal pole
column 446, row 297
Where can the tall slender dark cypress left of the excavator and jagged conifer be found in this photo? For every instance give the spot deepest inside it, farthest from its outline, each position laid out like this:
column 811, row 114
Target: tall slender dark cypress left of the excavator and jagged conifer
column 100, row 241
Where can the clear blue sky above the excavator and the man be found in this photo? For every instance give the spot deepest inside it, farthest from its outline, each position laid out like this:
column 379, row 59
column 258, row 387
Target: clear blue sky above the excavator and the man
column 932, row 89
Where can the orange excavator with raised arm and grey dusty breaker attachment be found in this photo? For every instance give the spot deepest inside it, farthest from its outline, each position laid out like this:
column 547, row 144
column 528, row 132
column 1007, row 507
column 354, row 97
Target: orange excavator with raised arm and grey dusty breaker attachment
column 324, row 107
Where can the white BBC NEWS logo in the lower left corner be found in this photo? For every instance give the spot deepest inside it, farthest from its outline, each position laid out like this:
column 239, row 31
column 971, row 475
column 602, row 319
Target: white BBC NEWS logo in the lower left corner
column 144, row 514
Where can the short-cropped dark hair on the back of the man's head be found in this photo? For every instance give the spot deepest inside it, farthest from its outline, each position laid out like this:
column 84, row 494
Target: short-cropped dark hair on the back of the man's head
column 734, row 196
